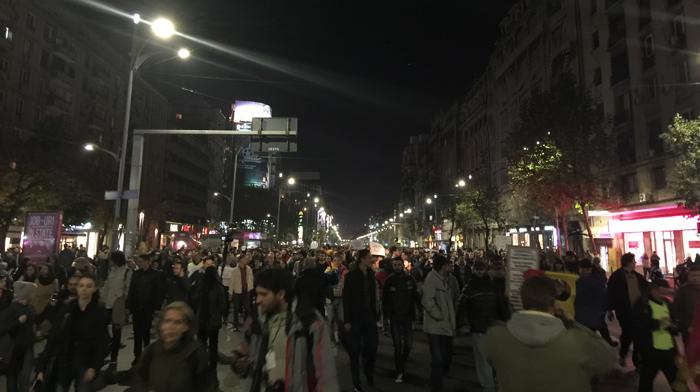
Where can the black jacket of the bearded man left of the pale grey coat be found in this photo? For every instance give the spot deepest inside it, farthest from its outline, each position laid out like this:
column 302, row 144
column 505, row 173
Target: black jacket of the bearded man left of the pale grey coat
column 400, row 296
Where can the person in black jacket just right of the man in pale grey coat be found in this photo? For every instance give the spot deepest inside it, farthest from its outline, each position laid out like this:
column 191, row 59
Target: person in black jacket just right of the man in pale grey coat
column 483, row 303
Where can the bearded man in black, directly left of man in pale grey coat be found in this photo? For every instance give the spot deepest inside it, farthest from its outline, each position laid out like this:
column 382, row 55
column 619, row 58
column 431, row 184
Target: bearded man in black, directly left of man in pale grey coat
column 400, row 296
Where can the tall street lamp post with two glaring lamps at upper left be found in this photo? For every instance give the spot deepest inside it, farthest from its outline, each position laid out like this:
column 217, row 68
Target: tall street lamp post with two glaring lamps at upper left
column 163, row 29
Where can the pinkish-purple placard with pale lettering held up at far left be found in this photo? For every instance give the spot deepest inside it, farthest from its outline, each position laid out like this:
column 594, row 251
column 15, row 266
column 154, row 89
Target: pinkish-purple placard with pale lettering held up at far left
column 42, row 232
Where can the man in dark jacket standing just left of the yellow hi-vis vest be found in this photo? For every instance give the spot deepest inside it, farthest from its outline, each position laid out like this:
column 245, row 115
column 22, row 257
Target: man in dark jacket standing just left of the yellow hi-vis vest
column 625, row 288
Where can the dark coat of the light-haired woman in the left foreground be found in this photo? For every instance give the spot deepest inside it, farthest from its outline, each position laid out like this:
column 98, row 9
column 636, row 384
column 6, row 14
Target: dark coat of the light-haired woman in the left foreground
column 181, row 368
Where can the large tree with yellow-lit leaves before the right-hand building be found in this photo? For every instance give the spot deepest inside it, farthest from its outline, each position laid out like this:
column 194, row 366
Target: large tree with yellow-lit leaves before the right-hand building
column 558, row 154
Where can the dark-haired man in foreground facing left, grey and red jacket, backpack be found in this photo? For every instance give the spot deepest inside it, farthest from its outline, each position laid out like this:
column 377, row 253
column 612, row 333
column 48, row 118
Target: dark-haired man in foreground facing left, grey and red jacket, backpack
column 287, row 347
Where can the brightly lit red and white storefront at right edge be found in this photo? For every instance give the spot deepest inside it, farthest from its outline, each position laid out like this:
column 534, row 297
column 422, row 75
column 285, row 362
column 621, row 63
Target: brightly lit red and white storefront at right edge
column 669, row 230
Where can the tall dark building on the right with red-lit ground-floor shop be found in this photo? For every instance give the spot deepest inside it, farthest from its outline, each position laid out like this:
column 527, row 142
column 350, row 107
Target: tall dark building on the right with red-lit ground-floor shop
column 637, row 60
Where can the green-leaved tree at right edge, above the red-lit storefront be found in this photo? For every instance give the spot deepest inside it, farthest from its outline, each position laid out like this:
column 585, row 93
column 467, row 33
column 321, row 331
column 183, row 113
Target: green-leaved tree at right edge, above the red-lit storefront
column 683, row 138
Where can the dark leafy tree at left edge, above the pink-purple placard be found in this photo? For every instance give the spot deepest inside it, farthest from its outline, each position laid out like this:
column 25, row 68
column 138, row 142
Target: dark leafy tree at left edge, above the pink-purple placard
column 43, row 170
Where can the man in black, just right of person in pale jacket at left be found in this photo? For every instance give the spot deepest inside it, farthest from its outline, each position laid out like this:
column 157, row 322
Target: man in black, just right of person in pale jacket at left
column 145, row 297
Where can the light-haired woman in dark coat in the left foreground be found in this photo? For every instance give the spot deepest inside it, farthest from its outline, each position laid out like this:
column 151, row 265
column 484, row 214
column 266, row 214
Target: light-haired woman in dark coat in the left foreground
column 176, row 361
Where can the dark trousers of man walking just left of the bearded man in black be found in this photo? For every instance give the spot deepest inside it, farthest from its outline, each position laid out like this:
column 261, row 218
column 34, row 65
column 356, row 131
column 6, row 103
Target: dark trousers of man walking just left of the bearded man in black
column 362, row 341
